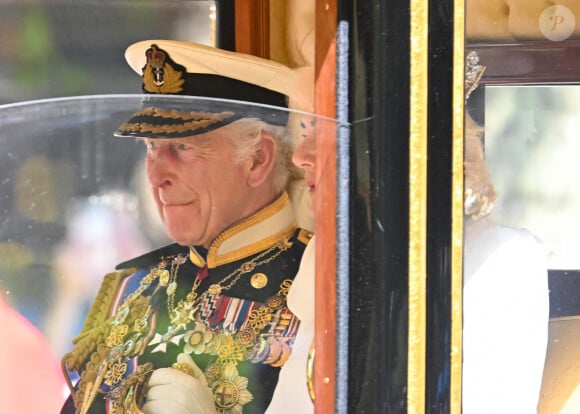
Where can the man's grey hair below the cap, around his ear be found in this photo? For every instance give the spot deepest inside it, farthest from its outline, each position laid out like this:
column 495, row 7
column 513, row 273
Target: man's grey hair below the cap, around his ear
column 245, row 136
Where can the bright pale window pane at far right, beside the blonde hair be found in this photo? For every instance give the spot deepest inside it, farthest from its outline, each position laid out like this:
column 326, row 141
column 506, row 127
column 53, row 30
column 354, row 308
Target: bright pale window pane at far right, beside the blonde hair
column 531, row 140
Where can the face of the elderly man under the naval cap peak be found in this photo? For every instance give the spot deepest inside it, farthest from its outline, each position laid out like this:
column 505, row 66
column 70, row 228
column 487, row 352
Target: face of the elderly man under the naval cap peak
column 199, row 191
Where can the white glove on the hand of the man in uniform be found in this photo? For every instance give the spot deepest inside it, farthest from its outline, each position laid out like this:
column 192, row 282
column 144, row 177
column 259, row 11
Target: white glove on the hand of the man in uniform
column 173, row 391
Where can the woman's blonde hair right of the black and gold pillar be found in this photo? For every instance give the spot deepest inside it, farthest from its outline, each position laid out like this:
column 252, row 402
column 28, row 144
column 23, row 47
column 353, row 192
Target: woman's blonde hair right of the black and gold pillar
column 479, row 194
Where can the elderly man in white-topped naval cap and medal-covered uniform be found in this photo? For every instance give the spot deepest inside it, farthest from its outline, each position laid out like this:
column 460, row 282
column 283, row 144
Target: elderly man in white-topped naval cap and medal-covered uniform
column 201, row 325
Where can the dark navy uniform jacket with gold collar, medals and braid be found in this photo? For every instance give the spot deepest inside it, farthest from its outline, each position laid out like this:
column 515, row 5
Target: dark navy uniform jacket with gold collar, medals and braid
column 224, row 306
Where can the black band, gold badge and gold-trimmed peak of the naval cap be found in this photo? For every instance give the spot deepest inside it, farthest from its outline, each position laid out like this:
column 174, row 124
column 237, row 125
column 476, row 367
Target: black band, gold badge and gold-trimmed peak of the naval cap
column 161, row 118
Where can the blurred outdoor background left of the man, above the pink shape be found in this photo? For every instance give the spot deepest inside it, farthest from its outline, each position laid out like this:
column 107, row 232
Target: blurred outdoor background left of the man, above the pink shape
column 64, row 192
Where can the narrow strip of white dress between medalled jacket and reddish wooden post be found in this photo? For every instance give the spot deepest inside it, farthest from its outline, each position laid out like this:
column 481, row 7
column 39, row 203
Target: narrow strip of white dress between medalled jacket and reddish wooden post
column 291, row 394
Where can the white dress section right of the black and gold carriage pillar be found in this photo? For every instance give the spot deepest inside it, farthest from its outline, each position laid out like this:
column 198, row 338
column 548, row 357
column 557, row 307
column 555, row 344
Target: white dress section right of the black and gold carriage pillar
column 505, row 319
